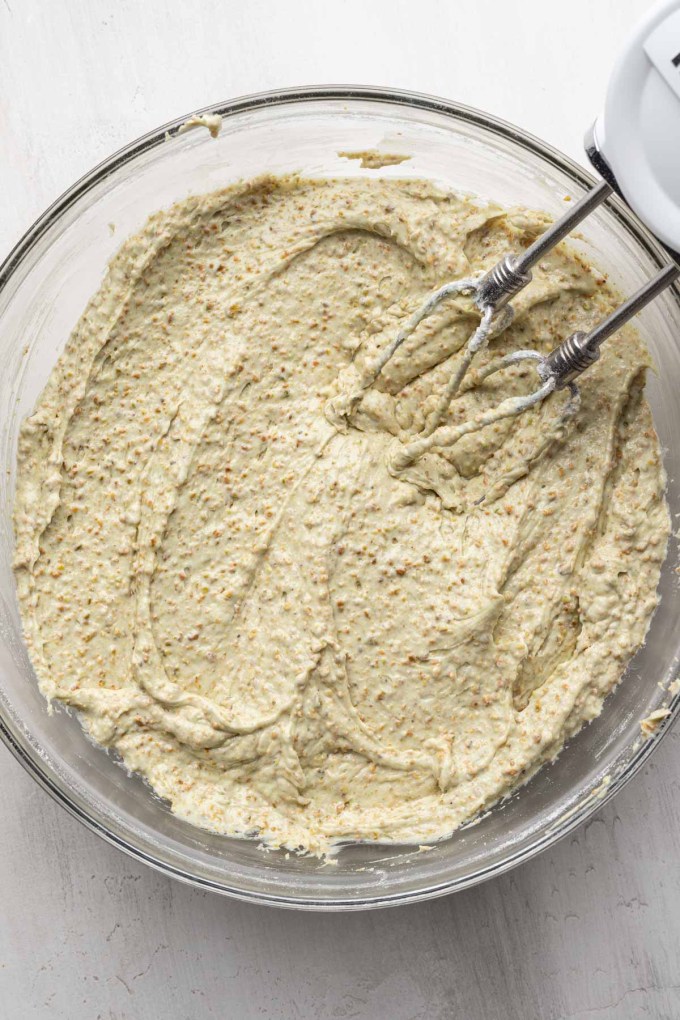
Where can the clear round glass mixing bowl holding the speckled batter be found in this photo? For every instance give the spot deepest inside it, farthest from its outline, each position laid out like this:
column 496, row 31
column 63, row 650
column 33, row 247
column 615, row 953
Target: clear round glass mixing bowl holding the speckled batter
column 44, row 287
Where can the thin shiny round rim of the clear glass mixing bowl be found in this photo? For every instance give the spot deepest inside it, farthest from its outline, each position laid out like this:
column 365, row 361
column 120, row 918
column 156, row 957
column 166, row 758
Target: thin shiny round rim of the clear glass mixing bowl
column 12, row 734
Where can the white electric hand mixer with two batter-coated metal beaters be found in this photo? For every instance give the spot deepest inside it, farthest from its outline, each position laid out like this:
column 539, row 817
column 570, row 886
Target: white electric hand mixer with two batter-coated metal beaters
column 636, row 147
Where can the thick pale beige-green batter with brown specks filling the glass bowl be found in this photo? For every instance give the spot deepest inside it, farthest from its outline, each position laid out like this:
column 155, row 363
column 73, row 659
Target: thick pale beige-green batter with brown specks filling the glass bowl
column 222, row 566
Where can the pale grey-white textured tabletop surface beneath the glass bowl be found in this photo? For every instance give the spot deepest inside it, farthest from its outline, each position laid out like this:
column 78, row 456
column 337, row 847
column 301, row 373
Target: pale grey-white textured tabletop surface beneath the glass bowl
column 589, row 931
